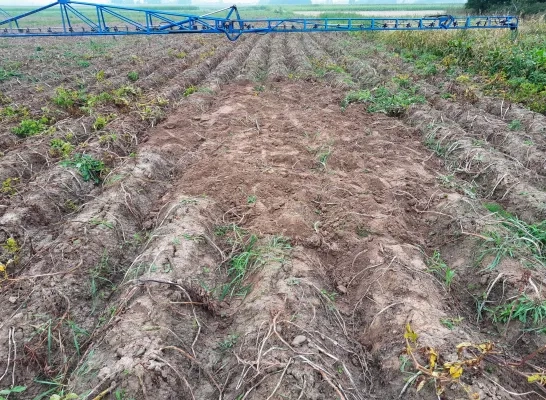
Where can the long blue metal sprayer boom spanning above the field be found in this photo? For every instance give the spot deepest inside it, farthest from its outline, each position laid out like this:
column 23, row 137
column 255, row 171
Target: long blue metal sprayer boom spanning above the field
column 76, row 18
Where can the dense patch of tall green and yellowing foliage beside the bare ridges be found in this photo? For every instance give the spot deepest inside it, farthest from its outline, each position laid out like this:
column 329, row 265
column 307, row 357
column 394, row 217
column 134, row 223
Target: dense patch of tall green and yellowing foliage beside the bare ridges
column 515, row 70
